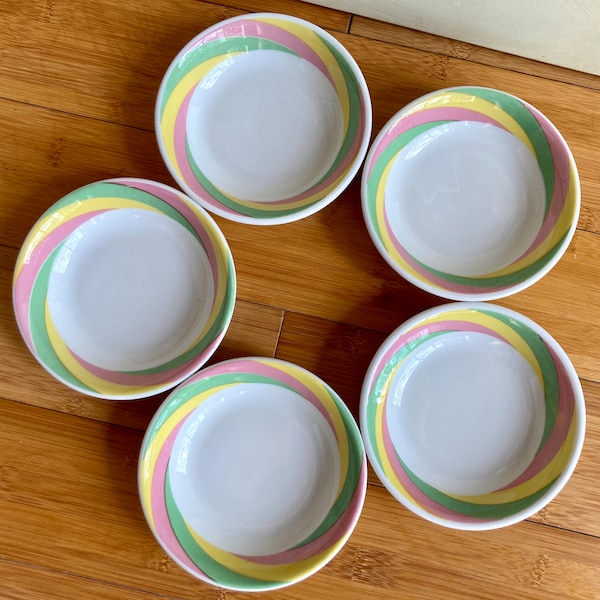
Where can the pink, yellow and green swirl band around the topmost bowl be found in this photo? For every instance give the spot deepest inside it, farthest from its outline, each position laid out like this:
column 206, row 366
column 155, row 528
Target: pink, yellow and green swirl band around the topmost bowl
column 247, row 35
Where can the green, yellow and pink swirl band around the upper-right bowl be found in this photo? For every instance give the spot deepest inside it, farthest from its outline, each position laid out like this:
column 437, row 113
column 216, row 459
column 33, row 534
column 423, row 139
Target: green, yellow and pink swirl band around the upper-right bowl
column 510, row 114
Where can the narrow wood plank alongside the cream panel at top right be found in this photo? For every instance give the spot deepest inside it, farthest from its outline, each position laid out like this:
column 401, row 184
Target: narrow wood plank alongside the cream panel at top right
column 404, row 36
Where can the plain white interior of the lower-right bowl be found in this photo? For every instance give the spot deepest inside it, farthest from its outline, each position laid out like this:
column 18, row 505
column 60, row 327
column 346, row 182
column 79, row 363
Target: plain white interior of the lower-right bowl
column 466, row 413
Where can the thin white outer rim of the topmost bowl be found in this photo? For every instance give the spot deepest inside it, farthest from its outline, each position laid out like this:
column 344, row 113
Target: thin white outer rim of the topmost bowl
column 348, row 176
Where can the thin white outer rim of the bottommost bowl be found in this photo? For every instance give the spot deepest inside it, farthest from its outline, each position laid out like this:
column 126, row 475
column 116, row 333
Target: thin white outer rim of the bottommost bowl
column 355, row 439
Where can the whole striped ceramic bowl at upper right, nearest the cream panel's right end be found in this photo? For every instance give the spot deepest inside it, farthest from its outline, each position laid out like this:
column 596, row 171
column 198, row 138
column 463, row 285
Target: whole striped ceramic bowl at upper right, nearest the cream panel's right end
column 470, row 193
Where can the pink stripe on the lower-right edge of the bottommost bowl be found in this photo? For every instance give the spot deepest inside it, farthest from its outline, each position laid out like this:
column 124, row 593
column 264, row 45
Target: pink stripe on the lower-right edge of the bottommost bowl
column 343, row 525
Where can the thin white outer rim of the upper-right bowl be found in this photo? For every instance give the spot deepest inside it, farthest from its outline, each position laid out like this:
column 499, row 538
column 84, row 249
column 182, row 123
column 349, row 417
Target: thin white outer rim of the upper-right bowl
column 441, row 291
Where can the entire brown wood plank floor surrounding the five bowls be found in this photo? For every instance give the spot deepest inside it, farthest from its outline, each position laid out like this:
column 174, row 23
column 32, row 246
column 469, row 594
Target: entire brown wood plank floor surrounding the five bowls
column 78, row 81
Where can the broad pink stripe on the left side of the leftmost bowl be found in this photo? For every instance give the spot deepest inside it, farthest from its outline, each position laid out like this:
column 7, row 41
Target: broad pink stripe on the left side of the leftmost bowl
column 24, row 283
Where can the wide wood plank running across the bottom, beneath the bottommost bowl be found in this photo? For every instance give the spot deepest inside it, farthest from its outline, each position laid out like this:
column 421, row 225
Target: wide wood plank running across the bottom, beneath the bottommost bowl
column 52, row 496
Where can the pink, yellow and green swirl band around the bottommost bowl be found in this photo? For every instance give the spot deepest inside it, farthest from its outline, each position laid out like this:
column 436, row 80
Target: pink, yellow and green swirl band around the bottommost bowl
column 195, row 553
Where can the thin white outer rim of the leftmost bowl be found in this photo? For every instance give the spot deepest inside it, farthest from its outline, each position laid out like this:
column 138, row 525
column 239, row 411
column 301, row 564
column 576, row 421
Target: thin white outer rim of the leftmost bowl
column 221, row 246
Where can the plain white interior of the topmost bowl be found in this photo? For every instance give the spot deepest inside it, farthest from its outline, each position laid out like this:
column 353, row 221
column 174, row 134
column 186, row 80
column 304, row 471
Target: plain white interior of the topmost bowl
column 265, row 125
